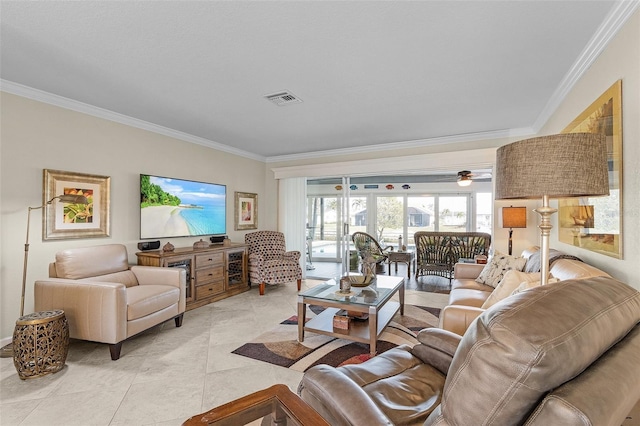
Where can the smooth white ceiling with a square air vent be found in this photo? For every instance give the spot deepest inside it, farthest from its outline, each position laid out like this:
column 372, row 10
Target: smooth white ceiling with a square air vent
column 386, row 73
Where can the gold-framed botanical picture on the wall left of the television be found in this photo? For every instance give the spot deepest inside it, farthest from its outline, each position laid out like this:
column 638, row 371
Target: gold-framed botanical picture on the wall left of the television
column 62, row 220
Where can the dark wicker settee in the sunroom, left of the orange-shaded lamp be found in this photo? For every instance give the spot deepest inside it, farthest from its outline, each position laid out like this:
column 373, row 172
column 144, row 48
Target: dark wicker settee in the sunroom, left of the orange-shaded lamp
column 438, row 252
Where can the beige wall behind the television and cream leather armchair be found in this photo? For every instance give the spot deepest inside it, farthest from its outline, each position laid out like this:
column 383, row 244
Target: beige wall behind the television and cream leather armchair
column 37, row 136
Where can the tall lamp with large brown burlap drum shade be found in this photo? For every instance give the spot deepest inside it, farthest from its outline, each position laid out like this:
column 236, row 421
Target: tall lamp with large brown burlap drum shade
column 555, row 166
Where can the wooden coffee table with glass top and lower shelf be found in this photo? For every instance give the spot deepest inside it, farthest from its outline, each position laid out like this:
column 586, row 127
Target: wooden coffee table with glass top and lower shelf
column 374, row 301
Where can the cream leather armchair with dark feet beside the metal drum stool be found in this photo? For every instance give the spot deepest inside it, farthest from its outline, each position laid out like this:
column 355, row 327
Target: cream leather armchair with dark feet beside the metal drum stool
column 107, row 301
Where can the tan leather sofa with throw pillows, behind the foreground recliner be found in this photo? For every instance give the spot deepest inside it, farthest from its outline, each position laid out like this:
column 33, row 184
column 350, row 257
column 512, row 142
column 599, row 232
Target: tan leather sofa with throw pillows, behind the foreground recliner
column 467, row 295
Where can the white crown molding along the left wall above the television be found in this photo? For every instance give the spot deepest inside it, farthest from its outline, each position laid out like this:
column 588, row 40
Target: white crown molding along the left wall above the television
column 81, row 107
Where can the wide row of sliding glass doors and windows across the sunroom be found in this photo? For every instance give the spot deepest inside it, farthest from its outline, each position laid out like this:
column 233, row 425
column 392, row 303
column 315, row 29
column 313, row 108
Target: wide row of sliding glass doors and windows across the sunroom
column 335, row 211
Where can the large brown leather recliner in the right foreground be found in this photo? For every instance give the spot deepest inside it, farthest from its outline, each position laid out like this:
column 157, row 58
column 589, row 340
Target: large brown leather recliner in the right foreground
column 561, row 354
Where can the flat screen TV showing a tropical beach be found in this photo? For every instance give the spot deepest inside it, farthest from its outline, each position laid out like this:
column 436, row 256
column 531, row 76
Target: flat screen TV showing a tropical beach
column 181, row 208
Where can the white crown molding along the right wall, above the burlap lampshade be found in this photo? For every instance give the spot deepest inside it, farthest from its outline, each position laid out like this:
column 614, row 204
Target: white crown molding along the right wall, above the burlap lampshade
column 616, row 19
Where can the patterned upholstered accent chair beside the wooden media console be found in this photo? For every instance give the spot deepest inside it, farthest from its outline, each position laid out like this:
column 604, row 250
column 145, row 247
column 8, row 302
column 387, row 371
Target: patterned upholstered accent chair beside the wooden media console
column 269, row 260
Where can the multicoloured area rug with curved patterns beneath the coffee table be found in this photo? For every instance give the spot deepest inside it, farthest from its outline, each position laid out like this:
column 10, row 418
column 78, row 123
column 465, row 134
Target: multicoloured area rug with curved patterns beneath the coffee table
column 280, row 346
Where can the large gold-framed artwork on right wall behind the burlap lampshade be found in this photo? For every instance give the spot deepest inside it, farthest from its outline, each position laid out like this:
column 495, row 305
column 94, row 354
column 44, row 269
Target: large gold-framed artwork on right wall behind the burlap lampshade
column 595, row 223
